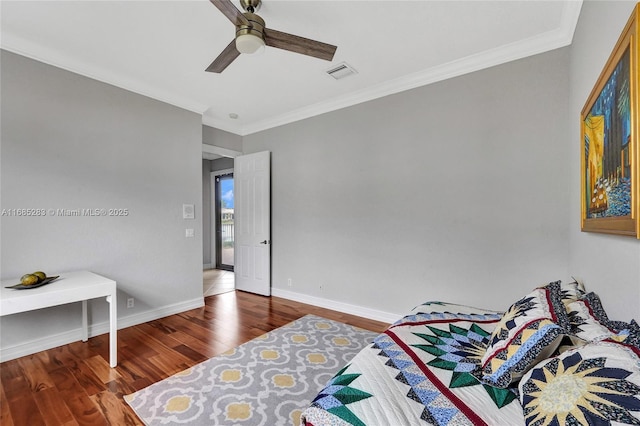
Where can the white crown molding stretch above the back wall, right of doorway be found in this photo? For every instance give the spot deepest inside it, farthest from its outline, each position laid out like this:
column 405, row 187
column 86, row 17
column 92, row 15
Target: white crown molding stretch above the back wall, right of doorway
column 560, row 37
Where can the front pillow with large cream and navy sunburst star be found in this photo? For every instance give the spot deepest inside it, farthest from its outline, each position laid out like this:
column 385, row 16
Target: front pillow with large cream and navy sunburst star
column 596, row 384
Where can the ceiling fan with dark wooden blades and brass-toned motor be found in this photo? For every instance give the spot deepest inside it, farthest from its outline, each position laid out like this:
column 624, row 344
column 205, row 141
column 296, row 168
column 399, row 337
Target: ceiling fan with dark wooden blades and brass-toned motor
column 251, row 35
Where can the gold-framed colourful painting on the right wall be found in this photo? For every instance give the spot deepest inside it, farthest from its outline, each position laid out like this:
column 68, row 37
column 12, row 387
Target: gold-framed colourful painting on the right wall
column 609, row 123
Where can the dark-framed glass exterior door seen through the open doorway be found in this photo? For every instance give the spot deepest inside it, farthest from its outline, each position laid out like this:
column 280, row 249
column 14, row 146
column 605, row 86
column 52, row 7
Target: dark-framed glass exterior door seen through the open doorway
column 224, row 219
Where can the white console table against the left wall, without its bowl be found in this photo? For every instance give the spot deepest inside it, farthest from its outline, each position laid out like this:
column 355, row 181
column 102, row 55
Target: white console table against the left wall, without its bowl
column 70, row 287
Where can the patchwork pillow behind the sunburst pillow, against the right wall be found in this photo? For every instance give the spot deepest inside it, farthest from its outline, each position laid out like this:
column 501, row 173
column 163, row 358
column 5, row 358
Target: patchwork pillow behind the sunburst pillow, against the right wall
column 590, row 322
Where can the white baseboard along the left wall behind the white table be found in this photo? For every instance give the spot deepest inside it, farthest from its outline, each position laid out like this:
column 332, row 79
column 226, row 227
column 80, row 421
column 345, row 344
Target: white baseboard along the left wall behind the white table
column 33, row 346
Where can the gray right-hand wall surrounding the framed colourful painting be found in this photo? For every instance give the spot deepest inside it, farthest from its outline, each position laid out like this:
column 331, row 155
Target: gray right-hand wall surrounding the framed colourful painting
column 609, row 265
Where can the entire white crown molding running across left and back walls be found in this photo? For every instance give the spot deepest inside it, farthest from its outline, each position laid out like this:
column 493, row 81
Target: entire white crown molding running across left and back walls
column 560, row 37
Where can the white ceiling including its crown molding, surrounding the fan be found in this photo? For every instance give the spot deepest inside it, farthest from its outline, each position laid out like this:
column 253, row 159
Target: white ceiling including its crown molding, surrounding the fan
column 161, row 48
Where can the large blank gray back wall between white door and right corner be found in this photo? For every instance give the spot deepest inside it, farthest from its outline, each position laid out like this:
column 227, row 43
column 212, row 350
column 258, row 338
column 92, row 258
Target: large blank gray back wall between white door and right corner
column 455, row 191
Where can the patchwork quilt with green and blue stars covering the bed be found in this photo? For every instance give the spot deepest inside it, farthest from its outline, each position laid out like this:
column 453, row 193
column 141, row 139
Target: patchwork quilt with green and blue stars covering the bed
column 424, row 369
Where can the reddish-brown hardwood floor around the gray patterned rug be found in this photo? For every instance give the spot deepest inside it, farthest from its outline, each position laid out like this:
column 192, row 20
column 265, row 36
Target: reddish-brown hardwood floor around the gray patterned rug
column 74, row 385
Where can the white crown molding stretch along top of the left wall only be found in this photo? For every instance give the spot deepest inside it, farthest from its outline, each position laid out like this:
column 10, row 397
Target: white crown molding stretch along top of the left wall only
column 23, row 47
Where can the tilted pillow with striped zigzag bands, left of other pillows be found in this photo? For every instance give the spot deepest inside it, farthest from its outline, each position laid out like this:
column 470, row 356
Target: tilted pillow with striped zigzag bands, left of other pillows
column 530, row 330
